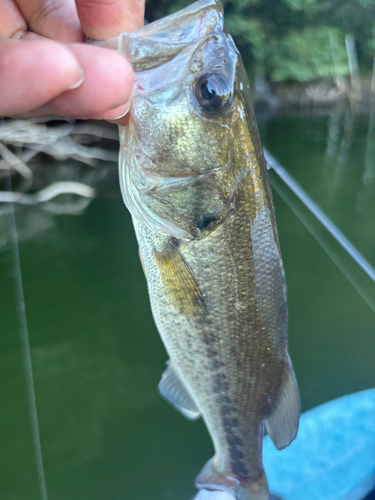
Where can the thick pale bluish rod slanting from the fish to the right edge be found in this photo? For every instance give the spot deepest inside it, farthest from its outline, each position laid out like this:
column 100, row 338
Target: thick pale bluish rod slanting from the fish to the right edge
column 320, row 215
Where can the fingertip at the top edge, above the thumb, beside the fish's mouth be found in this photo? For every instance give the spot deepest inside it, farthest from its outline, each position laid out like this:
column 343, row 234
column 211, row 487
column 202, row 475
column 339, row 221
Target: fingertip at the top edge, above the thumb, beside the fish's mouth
column 103, row 19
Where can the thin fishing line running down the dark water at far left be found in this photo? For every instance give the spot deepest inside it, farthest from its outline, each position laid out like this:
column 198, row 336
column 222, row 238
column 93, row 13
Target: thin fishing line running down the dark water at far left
column 25, row 346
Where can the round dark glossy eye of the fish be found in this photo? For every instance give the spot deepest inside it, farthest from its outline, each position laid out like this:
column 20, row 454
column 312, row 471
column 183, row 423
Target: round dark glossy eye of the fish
column 213, row 93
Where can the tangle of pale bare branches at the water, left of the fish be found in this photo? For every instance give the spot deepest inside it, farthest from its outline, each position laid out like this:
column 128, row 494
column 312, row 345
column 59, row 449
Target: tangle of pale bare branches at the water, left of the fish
column 22, row 140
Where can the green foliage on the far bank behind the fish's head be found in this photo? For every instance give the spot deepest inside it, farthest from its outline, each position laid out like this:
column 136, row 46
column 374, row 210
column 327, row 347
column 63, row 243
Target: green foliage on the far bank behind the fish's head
column 293, row 39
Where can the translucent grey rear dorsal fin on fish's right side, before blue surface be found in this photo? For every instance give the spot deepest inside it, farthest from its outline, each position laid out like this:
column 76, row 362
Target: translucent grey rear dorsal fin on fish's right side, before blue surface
column 282, row 424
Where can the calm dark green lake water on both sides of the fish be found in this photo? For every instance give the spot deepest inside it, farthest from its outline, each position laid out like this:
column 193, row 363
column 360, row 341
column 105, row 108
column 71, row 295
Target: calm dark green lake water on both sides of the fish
column 105, row 433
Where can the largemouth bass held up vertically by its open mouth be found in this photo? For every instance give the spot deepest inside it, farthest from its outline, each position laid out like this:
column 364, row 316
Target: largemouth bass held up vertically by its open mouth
column 194, row 178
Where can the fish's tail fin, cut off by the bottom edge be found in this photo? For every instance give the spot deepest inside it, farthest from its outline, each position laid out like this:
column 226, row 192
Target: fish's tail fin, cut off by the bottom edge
column 211, row 480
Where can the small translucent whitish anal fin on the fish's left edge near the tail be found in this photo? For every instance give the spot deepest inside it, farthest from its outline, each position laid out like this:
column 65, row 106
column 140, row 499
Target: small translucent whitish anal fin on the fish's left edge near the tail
column 173, row 390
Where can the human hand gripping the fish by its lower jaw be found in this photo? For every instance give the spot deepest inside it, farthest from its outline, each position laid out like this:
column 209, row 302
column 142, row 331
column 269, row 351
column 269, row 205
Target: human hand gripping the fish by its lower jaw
column 46, row 69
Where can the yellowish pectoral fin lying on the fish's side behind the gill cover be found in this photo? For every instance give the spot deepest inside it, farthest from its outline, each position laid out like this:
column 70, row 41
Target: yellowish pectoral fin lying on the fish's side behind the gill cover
column 180, row 284
